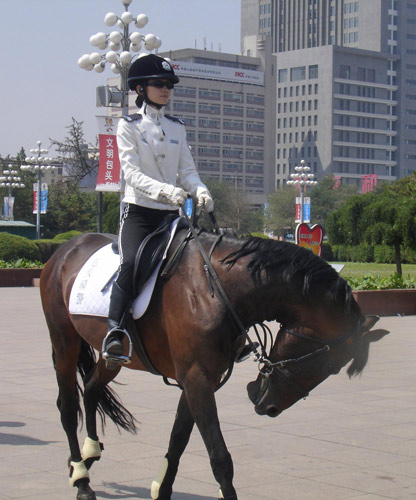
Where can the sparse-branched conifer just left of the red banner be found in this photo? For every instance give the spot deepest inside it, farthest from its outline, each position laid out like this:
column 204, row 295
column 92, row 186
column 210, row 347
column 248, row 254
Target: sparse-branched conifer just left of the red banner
column 73, row 151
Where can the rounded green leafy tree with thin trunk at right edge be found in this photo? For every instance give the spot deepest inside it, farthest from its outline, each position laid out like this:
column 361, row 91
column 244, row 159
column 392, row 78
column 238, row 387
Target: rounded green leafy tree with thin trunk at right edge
column 376, row 218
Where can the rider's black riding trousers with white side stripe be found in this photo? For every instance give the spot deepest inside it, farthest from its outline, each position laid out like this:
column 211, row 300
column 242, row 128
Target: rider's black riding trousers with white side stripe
column 136, row 223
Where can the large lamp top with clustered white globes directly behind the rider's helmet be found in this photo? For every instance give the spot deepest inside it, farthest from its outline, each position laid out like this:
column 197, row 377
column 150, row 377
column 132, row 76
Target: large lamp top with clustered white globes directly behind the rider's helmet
column 122, row 45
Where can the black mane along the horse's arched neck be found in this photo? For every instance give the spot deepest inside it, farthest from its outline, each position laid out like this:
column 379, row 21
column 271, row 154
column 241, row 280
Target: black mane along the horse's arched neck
column 280, row 260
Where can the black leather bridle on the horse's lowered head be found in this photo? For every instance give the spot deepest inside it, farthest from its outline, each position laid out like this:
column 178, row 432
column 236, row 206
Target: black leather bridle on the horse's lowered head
column 267, row 367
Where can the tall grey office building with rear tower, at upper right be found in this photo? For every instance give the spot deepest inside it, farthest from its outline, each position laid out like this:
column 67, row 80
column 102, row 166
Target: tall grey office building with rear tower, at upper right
column 346, row 84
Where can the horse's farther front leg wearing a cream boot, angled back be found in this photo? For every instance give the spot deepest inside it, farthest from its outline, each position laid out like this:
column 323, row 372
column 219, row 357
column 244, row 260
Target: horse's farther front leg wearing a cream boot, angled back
column 179, row 438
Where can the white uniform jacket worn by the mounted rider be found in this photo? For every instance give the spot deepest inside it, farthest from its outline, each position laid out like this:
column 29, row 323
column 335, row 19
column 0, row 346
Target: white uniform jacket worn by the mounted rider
column 154, row 153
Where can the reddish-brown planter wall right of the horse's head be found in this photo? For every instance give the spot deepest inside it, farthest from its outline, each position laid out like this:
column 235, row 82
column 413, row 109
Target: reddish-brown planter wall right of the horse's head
column 386, row 302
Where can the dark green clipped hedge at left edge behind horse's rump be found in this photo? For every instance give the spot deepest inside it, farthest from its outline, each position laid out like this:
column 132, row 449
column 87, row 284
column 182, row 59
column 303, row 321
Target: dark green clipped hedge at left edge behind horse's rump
column 13, row 247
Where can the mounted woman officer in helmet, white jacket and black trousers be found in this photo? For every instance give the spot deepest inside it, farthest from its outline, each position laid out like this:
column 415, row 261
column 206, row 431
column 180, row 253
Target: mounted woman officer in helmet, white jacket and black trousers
column 154, row 155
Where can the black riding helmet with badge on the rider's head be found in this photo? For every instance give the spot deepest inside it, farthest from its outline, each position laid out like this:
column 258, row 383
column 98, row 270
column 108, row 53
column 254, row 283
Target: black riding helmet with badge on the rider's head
column 150, row 66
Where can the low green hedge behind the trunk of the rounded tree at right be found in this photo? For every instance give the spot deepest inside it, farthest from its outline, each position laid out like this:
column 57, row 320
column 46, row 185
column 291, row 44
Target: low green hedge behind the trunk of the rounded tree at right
column 381, row 254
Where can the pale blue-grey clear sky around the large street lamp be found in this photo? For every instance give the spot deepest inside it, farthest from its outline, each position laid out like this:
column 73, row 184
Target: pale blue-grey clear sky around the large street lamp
column 42, row 87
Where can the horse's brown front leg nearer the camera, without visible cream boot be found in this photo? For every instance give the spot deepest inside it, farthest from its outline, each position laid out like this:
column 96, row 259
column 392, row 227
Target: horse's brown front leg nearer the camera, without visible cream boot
column 199, row 392
